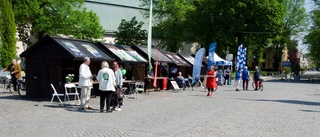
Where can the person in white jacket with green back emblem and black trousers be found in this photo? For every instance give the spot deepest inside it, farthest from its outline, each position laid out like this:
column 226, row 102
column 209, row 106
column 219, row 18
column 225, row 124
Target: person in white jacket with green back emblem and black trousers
column 107, row 84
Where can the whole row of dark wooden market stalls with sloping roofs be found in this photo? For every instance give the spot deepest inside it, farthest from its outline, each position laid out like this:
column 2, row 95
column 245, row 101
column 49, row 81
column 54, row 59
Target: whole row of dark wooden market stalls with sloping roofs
column 52, row 58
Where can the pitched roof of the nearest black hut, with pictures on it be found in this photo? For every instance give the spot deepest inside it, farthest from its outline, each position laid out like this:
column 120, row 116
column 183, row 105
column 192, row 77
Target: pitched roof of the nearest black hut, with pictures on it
column 71, row 48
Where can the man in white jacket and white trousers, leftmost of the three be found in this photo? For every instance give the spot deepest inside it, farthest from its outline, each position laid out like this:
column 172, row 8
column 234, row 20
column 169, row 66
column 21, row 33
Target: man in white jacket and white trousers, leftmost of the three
column 85, row 83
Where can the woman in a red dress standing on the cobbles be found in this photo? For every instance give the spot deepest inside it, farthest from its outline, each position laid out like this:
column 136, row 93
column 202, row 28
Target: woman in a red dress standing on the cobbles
column 211, row 81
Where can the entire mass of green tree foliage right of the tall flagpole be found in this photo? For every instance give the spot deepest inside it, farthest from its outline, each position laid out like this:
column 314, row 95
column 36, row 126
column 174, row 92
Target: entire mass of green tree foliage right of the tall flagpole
column 255, row 24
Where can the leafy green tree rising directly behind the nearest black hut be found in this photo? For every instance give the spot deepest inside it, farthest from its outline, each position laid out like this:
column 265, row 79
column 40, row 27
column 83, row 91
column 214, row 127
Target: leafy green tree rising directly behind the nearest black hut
column 53, row 17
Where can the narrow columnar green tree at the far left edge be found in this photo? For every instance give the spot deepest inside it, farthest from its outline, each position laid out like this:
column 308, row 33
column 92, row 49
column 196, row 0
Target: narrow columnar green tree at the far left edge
column 7, row 33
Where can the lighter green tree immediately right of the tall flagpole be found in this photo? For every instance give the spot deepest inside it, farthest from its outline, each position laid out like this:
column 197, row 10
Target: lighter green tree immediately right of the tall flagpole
column 170, row 17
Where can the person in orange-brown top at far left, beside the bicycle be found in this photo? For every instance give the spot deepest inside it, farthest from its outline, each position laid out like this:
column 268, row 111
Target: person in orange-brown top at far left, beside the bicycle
column 15, row 72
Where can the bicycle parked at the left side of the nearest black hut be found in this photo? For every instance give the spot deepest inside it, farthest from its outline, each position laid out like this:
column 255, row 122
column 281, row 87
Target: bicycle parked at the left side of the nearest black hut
column 21, row 85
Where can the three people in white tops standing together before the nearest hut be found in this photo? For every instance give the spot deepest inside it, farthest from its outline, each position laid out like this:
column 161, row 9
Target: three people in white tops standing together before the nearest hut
column 110, row 85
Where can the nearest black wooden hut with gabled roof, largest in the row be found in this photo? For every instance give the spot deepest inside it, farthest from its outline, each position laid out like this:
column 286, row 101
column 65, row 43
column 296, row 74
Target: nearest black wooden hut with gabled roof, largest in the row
column 51, row 59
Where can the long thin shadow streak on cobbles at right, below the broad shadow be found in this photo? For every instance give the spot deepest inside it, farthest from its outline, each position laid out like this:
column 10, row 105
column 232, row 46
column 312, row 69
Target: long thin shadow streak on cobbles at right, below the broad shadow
column 289, row 101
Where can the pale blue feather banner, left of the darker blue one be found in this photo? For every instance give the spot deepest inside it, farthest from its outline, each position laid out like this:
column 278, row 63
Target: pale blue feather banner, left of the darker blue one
column 197, row 65
